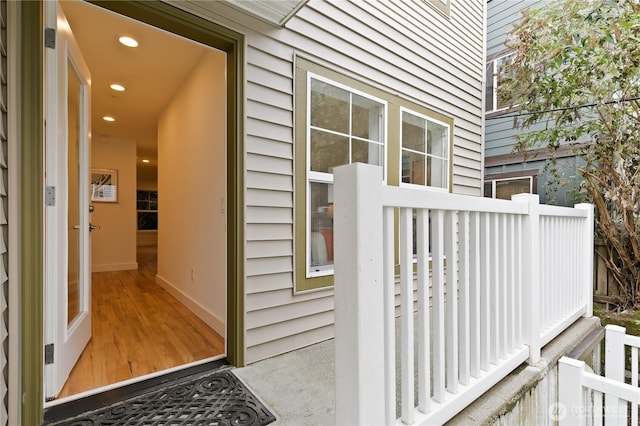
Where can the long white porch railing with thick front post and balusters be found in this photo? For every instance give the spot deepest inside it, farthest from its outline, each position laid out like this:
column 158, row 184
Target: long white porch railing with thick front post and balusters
column 483, row 318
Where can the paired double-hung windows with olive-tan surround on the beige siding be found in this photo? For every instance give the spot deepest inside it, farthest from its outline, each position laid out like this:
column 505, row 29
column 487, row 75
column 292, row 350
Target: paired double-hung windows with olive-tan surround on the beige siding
column 340, row 120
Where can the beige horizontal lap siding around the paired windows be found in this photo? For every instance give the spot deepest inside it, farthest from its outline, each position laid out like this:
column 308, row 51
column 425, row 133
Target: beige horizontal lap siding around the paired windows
column 408, row 49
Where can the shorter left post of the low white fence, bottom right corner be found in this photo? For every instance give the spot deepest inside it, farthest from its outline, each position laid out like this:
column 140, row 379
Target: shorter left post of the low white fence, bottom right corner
column 571, row 405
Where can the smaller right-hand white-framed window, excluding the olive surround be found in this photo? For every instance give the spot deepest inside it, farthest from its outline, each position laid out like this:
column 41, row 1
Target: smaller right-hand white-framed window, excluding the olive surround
column 425, row 151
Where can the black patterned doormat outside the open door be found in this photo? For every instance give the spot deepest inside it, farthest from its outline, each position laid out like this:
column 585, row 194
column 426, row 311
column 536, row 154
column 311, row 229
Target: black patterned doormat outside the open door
column 218, row 398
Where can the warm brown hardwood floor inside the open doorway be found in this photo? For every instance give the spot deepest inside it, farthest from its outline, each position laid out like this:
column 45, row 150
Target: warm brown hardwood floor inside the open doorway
column 138, row 328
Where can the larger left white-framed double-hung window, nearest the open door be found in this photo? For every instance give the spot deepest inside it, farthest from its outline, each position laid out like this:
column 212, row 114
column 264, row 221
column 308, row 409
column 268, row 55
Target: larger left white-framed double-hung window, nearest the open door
column 344, row 126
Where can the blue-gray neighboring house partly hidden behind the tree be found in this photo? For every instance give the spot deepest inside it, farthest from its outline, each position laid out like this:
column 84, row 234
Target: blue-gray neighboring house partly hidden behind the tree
column 508, row 173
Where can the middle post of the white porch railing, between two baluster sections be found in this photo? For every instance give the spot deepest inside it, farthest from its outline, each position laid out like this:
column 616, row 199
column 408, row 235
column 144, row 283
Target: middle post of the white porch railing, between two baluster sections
column 530, row 249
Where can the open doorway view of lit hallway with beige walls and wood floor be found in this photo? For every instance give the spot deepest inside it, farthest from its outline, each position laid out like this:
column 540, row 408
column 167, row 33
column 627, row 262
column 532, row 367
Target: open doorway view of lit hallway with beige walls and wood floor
column 183, row 264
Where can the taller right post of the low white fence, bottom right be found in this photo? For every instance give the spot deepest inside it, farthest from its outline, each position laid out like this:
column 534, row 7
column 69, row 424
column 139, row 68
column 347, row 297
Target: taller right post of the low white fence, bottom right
column 614, row 366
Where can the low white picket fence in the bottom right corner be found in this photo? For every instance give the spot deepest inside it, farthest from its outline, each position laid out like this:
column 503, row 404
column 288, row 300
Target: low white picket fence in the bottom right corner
column 585, row 398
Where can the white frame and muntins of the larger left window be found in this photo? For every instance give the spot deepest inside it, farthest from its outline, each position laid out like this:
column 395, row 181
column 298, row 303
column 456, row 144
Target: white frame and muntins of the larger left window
column 322, row 177
